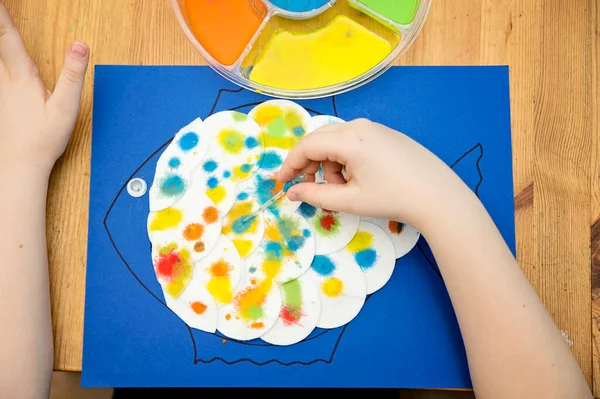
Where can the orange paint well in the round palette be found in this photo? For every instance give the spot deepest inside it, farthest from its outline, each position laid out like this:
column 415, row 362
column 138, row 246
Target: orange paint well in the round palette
column 224, row 27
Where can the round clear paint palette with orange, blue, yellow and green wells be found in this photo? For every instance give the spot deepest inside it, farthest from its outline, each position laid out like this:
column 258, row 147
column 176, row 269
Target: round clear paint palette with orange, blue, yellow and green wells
column 301, row 48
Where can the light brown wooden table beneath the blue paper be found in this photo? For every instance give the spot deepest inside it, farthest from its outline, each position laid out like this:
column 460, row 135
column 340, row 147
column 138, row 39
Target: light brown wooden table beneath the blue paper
column 552, row 48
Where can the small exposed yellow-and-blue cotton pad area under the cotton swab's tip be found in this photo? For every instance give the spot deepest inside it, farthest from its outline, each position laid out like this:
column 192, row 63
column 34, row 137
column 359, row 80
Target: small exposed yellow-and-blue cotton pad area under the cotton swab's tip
column 246, row 236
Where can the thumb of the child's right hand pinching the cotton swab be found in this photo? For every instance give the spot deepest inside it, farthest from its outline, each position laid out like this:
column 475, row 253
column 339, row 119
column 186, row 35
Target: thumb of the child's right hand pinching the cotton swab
column 333, row 197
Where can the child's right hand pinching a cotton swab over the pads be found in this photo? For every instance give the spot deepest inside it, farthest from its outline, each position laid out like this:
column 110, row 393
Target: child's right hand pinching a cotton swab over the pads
column 389, row 175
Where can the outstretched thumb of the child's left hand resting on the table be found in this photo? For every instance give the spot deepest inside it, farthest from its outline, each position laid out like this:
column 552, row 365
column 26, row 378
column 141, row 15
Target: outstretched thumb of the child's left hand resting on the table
column 67, row 94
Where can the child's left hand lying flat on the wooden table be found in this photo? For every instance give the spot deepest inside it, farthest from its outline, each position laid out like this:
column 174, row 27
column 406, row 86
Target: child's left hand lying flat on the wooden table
column 35, row 124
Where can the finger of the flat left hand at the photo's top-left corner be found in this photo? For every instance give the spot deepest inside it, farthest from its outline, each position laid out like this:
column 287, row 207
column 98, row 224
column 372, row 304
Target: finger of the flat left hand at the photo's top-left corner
column 12, row 49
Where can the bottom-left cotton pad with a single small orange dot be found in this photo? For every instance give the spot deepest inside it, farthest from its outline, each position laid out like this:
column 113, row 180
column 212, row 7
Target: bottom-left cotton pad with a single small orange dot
column 195, row 307
